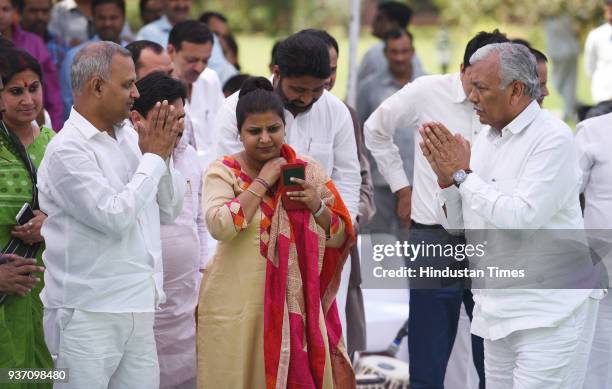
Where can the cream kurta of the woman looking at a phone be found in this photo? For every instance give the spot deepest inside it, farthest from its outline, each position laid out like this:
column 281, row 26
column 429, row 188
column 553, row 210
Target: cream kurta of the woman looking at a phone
column 231, row 308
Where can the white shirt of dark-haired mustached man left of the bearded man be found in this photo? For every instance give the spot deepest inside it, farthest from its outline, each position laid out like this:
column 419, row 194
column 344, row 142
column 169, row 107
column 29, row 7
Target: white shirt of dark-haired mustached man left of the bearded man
column 206, row 99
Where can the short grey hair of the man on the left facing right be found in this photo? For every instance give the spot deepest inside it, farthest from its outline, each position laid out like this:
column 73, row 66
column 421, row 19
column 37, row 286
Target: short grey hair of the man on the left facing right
column 93, row 59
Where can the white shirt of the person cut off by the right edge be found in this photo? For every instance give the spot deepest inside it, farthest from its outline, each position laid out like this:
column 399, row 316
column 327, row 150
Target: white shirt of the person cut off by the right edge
column 594, row 143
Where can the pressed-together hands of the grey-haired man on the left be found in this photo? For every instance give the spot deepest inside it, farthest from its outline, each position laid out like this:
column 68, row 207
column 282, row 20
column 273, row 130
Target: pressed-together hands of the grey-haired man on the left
column 160, row 137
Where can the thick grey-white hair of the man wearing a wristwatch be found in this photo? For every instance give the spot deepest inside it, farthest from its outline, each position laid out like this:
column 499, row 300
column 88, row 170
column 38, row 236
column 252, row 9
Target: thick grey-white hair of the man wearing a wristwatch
column 516, row 63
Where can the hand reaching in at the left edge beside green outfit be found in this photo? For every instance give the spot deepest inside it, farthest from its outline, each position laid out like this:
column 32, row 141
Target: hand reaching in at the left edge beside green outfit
column 14, row 275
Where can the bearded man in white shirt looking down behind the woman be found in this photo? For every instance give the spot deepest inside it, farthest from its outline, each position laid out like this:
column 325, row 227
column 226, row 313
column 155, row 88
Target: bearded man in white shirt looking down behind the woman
column 318, row 123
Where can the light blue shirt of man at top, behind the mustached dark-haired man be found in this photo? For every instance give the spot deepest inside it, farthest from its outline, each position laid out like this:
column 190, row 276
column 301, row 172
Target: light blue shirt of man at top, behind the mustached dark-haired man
column 159, row 30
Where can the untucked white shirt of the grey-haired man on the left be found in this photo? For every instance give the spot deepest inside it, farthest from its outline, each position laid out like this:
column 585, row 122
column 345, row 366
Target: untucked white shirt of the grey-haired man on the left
column 104, row 202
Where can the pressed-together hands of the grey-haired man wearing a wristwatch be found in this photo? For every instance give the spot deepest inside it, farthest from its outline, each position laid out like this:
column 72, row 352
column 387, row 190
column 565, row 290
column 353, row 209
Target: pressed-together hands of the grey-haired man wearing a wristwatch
column 445, row 152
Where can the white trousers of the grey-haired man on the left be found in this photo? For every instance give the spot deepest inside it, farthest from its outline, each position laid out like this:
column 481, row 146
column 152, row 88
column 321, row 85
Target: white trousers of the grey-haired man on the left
column 103, row 350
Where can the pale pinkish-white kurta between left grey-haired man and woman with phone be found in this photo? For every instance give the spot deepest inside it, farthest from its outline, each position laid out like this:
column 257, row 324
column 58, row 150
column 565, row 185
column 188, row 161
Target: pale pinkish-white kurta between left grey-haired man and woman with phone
column 184, row 253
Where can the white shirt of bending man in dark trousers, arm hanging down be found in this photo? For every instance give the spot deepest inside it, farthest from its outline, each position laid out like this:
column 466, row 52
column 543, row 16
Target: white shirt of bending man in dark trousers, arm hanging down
column 438, row 98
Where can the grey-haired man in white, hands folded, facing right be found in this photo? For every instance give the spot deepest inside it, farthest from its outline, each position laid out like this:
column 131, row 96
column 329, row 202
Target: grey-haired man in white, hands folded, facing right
column 105, row 192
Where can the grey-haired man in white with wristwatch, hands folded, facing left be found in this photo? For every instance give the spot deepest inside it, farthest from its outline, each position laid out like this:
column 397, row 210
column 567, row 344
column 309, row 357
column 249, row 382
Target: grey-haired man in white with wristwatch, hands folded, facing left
column 522, row 175
